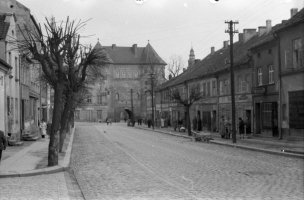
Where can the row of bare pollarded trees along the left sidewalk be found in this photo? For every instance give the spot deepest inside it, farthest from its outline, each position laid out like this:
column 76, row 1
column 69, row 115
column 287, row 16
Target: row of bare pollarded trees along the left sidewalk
column 68, row 67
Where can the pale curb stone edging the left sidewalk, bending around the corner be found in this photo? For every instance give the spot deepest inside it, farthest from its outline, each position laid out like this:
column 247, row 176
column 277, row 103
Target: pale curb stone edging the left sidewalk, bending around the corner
column 62, row 166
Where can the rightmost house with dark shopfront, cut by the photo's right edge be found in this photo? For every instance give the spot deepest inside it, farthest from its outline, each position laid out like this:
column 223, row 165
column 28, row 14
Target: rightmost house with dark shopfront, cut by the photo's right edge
column 291, row 58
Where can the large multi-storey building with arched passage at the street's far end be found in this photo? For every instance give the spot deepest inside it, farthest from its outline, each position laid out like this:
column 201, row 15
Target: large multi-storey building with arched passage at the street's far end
column 126, row 87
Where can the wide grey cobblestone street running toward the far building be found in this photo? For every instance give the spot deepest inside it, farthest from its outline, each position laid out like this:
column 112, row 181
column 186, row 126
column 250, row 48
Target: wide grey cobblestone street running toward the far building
column 119, row 162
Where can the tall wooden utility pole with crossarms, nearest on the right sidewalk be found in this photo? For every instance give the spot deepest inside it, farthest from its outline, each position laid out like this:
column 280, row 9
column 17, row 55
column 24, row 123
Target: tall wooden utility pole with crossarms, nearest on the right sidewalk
column 231, row 30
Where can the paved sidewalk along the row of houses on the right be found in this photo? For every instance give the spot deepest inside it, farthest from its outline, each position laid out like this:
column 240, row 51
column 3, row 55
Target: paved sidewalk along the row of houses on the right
column 261, row 144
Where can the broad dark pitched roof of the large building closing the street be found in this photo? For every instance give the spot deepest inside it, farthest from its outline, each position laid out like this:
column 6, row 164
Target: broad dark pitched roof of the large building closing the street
column 132, row 55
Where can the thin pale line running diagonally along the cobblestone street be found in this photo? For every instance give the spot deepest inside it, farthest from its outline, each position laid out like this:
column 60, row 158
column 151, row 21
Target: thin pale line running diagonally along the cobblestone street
column 147, row 168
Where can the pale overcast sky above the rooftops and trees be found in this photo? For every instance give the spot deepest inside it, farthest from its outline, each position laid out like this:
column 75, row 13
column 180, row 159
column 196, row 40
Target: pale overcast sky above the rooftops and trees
column 172, row 26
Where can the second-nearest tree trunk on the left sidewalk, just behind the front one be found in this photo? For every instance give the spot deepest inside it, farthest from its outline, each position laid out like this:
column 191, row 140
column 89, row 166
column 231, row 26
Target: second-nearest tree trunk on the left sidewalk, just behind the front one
column 65, row 119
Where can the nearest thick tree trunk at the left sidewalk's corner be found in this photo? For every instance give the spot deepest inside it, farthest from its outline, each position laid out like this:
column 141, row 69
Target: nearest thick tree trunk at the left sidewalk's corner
column 54, row 133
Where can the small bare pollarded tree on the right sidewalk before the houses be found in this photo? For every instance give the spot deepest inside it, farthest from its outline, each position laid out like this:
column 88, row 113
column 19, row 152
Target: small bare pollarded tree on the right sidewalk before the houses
column 187, row 99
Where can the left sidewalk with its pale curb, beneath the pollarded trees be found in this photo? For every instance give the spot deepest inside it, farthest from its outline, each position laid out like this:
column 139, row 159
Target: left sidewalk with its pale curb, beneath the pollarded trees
column 31, row 158
